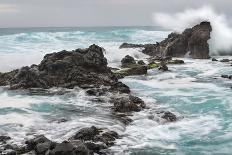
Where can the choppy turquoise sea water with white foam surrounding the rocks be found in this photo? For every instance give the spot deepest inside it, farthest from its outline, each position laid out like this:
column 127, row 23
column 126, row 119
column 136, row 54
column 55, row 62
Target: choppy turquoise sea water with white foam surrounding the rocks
column 193, row 91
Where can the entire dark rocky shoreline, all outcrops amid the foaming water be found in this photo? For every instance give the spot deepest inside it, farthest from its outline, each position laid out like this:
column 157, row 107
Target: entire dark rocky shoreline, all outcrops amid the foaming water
column 88, row 69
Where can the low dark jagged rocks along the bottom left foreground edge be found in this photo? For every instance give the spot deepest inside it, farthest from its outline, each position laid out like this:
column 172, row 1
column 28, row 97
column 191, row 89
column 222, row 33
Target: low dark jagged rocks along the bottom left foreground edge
column 87, row 141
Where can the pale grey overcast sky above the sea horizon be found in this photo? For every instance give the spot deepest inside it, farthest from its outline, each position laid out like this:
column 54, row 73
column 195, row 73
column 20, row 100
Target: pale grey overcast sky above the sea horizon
column 45, row 13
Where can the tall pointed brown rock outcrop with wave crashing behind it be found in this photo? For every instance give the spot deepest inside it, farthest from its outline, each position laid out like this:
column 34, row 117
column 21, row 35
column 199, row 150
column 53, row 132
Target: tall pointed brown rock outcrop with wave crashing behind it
column 193, row 41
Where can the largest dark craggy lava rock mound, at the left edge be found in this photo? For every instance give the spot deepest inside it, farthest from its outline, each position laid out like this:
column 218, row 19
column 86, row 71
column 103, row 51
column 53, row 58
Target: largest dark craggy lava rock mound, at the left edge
column 81, row 67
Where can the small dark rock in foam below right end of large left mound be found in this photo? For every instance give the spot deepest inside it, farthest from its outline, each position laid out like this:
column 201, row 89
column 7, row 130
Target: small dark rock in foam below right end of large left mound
column 128, row 104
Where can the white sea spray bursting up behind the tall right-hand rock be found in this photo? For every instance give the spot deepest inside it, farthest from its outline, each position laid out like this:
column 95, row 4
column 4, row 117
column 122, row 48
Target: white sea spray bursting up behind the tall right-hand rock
column 221, row 38
